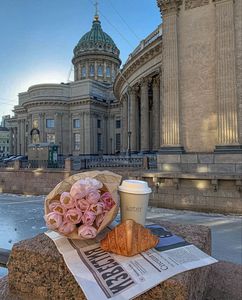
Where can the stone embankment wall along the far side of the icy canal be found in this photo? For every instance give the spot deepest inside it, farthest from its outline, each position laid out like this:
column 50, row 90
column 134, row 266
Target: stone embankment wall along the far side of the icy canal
column 198, row 191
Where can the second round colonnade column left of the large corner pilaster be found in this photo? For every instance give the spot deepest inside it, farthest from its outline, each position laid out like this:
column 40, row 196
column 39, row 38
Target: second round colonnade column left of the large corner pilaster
column 144, row 110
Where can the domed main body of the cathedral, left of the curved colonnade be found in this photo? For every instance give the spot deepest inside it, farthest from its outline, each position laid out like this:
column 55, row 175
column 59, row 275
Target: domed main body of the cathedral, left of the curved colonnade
column 81, row 117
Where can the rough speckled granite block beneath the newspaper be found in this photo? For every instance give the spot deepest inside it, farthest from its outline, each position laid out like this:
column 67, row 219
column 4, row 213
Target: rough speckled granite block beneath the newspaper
column 37, row 270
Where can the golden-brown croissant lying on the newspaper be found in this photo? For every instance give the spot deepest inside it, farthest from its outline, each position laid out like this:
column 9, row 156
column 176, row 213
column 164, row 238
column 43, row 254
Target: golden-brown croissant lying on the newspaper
column 129, row 238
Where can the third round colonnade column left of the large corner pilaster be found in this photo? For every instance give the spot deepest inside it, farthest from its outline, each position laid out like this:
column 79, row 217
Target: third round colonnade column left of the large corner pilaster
column 132, row 120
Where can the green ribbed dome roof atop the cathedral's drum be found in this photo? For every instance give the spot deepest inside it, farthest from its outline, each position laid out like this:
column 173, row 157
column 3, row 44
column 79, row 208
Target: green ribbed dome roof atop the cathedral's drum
column 96, row 40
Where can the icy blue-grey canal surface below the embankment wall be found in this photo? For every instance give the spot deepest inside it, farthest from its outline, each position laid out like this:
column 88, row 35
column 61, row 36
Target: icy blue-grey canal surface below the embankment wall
column 21, row 217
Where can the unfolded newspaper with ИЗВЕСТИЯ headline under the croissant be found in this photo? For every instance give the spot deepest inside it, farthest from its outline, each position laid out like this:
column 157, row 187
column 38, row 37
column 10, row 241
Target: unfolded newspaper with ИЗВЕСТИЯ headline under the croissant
column 104, row 275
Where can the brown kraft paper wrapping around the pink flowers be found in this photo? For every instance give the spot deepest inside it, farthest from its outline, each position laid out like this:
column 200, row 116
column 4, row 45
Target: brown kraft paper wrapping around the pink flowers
column 110, row 181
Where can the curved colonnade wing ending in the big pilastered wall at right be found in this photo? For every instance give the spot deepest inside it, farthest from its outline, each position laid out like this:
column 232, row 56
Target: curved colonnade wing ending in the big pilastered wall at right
column 181, row 91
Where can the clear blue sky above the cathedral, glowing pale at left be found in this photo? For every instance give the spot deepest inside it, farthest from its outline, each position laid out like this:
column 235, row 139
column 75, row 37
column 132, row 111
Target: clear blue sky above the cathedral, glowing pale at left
column 38, row 38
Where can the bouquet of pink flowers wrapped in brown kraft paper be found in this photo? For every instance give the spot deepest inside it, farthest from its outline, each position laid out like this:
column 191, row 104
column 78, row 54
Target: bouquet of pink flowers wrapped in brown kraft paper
column 80, row 211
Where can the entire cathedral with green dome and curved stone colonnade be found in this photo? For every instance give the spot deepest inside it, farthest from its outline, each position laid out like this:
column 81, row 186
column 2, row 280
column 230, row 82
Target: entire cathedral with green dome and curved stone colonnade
column 179, row 92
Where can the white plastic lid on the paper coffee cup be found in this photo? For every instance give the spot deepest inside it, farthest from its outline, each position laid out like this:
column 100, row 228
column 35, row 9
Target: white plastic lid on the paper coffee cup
column 134, row 187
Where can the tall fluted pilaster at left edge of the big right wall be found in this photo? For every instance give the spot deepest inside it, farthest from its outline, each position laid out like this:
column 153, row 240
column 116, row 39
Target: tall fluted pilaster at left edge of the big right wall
column 170, row 106
